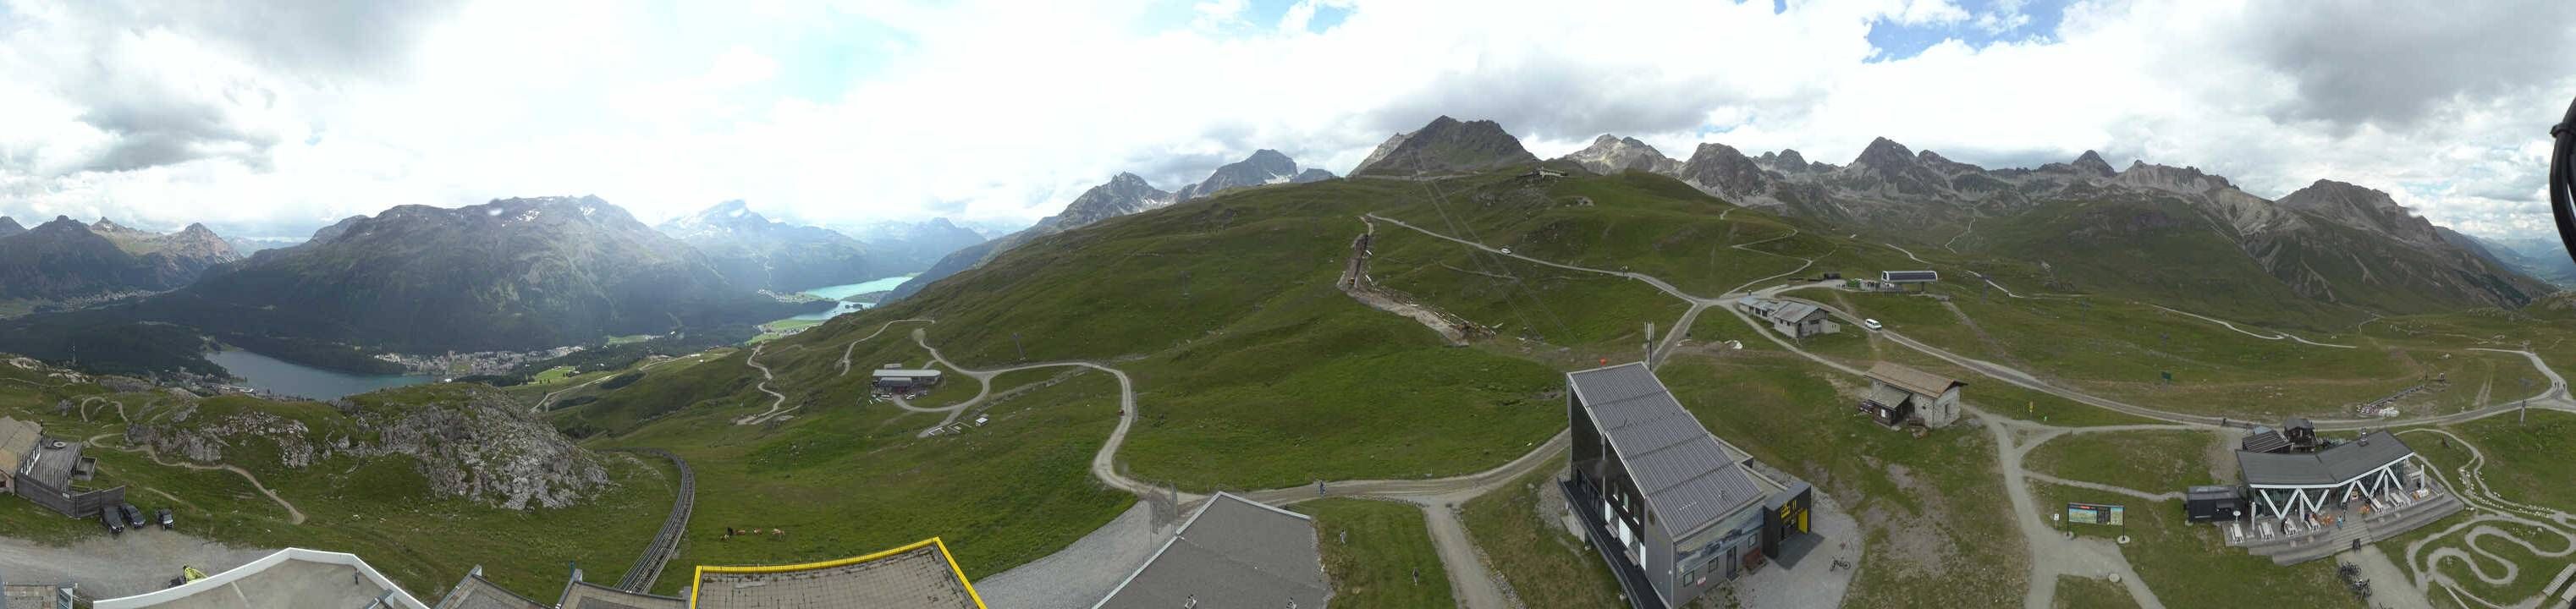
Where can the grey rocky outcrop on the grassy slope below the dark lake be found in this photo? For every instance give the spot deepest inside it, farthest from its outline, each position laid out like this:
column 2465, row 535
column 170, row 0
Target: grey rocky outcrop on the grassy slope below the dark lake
column 465, row 443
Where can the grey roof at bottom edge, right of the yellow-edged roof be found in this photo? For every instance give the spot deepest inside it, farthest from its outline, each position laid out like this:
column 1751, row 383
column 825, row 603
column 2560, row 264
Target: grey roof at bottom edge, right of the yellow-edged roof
column 1233, row 554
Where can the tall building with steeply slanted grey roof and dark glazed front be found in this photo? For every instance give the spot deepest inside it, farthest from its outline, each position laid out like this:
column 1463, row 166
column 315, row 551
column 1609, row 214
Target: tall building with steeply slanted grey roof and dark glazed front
column 1665, row 502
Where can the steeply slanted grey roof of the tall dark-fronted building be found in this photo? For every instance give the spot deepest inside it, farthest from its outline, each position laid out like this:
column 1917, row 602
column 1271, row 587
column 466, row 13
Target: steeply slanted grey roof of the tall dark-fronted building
column 1689, row 477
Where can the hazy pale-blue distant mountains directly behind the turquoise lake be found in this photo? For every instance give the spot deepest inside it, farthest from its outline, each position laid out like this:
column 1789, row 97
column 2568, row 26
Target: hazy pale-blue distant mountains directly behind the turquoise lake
column 772, row 256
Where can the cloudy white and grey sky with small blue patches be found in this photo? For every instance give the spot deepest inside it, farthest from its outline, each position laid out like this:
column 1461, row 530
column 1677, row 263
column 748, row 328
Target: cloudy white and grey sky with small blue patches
column 279, row 117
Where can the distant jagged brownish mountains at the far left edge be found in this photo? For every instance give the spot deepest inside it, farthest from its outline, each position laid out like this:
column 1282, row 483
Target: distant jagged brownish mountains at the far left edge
column 68, row 261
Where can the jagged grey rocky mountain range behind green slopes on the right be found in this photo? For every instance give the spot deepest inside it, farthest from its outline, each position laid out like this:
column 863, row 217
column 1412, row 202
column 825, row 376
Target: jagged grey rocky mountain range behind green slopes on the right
column 2330, row 243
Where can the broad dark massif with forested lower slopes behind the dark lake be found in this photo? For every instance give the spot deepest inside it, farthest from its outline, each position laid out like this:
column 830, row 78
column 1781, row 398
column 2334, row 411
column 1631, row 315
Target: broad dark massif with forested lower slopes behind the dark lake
column 516, row 274
